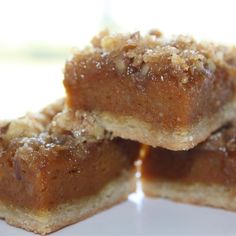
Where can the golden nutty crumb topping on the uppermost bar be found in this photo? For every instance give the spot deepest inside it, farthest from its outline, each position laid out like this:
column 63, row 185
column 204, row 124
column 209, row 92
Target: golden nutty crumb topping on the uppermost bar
column 137, row 55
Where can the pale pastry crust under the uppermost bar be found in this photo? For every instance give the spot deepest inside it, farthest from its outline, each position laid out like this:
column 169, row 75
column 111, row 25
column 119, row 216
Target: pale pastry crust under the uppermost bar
column 130, row 128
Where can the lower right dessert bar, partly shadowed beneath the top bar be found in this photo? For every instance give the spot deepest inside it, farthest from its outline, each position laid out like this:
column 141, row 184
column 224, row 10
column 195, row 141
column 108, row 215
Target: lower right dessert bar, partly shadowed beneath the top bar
column 205, row 175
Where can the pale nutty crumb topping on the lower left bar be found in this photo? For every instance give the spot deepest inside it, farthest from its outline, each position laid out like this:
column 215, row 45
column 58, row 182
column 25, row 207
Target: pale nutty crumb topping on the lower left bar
column 52, row 131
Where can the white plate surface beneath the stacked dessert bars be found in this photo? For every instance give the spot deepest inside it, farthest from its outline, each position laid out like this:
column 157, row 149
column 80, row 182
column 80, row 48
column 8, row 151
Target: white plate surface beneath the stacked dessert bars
column 145, row 216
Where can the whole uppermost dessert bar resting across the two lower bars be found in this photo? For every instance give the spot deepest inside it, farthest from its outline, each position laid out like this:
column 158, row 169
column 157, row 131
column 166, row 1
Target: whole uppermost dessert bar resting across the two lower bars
column 162, row 92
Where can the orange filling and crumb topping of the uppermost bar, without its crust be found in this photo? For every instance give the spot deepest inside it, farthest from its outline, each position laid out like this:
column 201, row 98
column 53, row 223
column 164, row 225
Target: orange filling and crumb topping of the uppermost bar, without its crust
column 147, row 77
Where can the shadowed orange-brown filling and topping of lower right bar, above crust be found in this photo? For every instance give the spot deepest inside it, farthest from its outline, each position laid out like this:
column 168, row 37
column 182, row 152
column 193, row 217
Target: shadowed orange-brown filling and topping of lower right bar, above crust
column 212, row 162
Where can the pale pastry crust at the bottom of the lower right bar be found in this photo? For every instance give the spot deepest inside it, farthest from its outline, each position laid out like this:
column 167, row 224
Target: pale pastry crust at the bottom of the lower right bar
column 214, row 195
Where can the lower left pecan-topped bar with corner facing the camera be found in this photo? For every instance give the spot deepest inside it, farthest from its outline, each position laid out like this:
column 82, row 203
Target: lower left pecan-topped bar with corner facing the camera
column 51, row 177
